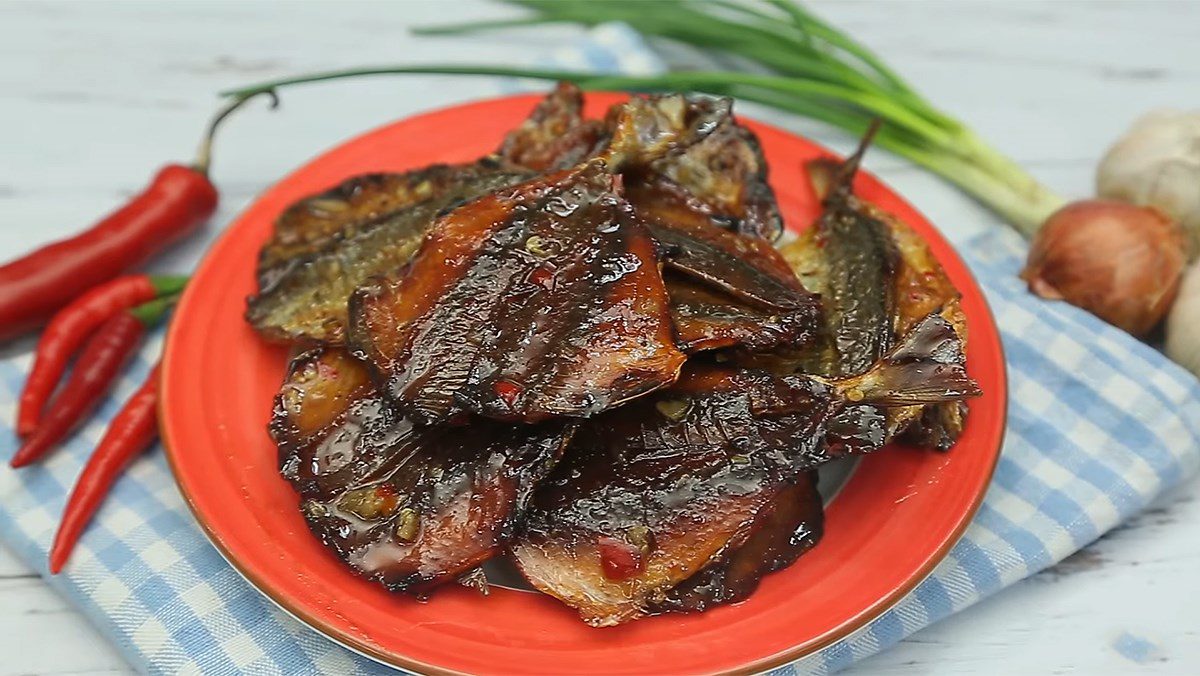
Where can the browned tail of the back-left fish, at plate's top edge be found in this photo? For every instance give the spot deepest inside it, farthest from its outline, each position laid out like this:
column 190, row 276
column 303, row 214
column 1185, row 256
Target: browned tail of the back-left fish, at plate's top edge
column 555, row 136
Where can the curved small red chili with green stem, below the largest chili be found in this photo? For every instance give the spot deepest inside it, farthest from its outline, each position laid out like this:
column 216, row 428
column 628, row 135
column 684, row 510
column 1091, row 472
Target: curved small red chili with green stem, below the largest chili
column 73, row 326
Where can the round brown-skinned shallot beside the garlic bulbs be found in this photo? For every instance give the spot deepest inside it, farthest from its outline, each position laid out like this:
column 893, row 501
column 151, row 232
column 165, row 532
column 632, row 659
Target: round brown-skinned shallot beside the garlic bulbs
column 1119, row 261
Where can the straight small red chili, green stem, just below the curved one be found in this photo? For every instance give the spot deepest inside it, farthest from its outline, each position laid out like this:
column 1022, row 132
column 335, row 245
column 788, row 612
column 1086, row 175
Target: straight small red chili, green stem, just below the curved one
column 95, row 372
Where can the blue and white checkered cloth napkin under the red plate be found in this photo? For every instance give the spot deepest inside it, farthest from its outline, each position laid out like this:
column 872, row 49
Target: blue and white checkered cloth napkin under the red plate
column 1099, row 426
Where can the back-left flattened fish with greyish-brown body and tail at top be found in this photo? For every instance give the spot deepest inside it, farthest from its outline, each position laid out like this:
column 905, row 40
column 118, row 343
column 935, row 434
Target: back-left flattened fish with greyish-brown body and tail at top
column 371, row 225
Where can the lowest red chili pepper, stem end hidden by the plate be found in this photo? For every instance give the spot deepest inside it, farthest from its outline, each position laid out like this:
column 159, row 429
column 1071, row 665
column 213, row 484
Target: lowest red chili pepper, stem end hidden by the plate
column 133, row 430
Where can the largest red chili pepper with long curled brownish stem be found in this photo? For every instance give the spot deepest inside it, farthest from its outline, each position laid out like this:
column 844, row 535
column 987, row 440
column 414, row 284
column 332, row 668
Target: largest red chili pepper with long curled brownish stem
column 179, row 199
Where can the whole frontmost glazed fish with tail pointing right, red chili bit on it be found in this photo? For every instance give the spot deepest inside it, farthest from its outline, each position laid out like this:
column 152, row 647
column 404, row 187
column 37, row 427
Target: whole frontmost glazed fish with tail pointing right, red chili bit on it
column 671, row 484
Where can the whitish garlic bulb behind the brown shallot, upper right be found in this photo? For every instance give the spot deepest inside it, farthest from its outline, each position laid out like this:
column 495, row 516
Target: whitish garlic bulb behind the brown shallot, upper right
column 1157, row 164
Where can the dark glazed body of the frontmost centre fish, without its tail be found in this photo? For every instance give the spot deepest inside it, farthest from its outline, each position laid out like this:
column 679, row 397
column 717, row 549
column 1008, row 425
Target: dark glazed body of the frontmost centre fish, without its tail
column 695, row 486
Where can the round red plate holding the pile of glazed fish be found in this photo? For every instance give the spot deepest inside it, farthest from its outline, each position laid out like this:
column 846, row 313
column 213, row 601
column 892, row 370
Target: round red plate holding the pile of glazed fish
column 896, row 519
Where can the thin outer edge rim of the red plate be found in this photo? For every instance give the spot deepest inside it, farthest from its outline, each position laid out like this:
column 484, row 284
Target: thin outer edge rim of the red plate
column 393, row 660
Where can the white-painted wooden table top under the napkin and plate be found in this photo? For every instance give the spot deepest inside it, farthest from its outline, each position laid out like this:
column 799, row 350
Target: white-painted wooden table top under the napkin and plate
column 95, row 97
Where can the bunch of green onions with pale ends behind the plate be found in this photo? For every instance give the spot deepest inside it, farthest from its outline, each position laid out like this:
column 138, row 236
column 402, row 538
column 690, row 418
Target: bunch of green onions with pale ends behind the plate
column 812, row 70
